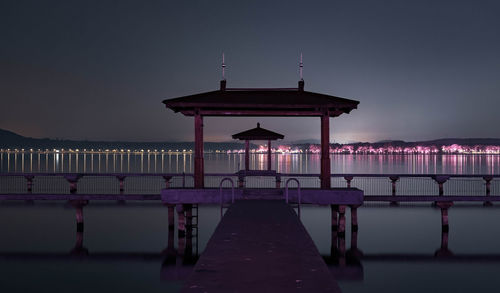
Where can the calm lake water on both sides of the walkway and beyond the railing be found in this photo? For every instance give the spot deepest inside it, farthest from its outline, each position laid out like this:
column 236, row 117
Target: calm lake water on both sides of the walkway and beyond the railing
column 124, row 243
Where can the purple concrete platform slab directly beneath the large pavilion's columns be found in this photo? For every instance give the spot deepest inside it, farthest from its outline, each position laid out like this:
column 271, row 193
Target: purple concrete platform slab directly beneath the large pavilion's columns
column 343, row 196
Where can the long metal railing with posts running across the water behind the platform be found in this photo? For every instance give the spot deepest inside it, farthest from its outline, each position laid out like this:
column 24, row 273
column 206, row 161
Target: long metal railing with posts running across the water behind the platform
column 152, row 183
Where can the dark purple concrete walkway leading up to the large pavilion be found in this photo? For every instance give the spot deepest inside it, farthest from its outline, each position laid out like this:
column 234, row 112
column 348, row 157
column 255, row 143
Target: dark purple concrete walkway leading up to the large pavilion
column 260, row 246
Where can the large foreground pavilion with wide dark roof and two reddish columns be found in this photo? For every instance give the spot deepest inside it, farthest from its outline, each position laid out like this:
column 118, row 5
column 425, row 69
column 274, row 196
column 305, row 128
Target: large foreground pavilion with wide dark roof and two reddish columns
column 274, row 102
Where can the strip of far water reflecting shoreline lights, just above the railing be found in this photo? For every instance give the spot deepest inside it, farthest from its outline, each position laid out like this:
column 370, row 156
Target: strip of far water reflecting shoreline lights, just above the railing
column 151, row 162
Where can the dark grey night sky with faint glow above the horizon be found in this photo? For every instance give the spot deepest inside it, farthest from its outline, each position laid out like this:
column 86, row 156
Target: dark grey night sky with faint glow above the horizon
column 99, row 70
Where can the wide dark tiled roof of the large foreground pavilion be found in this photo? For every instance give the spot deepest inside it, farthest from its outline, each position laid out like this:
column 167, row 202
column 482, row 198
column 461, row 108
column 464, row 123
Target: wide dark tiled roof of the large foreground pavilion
column 261, row 102
